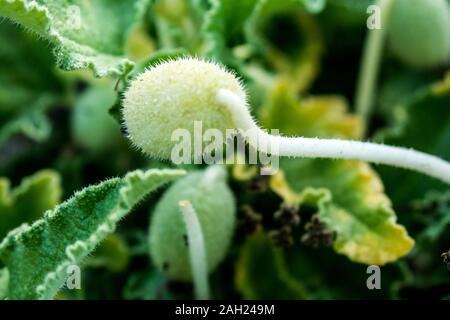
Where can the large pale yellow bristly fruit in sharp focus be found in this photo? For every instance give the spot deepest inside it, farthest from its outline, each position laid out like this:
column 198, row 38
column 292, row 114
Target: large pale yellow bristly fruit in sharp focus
column 171, row 96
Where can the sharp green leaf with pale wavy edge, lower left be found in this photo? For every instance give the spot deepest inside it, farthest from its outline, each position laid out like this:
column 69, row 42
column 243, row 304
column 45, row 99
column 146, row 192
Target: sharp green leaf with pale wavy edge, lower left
column 37, row 256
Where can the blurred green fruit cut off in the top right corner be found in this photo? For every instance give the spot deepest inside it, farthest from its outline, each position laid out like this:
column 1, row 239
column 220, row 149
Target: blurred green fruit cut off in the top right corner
column 419, row 32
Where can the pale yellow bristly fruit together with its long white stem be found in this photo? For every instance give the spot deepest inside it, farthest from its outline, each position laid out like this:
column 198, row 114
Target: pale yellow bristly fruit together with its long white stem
column 175, row 94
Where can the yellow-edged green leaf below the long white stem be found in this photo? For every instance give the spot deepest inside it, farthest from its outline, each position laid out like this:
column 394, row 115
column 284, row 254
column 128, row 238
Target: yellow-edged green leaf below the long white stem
column 350, row 201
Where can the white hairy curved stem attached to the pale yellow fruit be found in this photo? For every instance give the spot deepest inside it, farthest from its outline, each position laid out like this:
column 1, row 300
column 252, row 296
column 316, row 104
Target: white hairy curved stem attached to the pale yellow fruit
column 330, row 148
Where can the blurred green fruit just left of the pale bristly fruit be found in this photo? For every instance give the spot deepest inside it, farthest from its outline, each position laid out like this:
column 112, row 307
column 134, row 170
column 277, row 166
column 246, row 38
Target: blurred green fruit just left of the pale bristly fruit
column 92, row 126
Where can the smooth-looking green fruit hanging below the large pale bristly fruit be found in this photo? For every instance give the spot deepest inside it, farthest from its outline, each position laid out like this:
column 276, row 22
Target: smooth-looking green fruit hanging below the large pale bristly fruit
column 214, row 204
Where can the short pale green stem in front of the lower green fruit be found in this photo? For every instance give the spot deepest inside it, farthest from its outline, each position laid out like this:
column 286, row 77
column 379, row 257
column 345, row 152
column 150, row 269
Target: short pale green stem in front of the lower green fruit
column 196, row 250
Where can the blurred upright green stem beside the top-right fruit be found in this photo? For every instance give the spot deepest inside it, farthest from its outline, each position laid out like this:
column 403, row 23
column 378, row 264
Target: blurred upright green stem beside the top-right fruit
column 370, row 63
